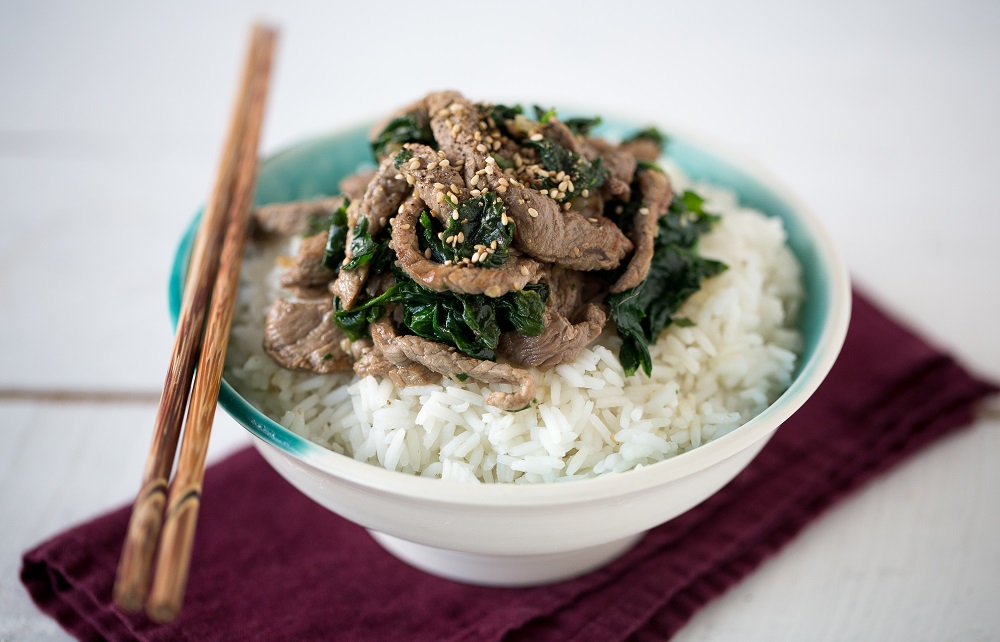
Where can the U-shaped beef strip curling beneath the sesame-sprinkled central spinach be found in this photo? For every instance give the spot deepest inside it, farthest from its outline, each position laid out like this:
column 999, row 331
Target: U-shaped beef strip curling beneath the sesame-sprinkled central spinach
column 513, row 275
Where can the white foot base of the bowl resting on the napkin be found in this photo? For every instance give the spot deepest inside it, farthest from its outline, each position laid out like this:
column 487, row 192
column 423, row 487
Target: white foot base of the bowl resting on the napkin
column 504, row 570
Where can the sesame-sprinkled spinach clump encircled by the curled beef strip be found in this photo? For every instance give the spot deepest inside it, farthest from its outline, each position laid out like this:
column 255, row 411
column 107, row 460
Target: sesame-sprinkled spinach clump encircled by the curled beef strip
column 479, row 225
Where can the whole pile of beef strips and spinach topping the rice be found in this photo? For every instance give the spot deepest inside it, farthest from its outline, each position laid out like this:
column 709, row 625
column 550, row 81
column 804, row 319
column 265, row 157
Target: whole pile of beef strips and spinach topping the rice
column 487, row 243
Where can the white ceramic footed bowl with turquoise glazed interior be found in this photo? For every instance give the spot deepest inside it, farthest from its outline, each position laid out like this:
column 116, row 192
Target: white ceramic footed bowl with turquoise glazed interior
column 517, row 535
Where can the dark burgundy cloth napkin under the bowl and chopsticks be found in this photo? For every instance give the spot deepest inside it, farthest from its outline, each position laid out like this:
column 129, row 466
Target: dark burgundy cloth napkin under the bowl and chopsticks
column 270, row 564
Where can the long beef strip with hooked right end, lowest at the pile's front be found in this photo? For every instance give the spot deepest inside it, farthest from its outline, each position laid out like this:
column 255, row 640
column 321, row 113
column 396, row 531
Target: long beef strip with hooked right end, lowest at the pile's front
column 447, row 361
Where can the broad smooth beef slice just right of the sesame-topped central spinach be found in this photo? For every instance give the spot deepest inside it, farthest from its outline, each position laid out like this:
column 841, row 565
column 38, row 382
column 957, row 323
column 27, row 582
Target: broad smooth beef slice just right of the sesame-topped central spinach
column 567, row 238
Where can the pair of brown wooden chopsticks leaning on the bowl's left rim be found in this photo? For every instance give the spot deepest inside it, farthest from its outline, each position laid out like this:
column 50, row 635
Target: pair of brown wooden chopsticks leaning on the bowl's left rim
column 156, row 556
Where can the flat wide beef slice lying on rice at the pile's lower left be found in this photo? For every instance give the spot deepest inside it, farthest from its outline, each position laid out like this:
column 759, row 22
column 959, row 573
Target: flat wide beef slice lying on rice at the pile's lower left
column 301, row 335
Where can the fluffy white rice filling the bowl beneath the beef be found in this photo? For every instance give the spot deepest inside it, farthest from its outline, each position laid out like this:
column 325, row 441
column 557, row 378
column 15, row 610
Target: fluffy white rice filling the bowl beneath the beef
column 589, row 418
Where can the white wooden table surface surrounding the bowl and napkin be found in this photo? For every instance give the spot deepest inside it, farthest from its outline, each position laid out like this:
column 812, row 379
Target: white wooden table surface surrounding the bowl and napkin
column 884, row 117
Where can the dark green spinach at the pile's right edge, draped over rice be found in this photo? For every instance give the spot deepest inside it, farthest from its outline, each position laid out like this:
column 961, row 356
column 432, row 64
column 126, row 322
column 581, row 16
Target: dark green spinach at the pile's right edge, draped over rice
column 675, row 273
